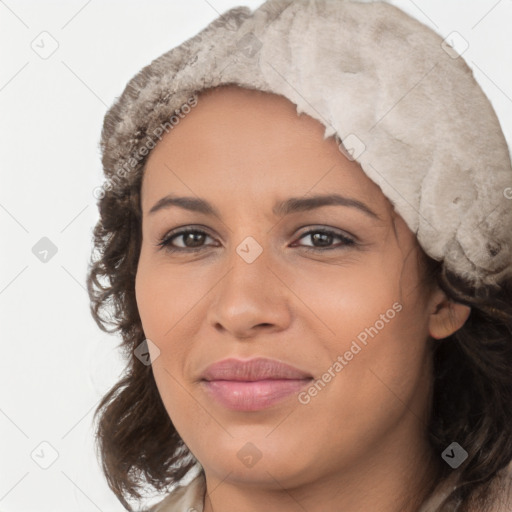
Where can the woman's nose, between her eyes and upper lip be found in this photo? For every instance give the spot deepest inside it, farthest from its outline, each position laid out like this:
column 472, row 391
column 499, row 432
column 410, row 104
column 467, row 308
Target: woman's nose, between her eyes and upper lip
column 250, row 298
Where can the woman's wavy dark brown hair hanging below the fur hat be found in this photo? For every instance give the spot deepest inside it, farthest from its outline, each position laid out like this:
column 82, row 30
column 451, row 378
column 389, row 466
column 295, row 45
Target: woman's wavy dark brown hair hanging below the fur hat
column 139, row 446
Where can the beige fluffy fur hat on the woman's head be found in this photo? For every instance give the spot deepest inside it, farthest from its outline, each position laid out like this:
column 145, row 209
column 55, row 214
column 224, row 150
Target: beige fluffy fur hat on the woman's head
column 398, row 99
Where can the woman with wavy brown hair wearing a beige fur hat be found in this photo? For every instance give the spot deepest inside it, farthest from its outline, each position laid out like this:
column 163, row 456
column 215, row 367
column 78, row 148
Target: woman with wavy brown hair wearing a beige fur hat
column 306, row 238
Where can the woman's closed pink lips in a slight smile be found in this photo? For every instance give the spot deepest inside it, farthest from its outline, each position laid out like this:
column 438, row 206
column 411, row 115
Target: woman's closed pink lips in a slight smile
column 252, row 384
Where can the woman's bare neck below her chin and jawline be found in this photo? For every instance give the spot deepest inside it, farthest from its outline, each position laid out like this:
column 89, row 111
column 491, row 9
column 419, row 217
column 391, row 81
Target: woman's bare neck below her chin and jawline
column 396, row 475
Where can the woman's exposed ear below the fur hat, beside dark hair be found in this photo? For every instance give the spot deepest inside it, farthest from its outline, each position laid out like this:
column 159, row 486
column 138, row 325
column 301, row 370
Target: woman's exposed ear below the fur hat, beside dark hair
column 446, row 316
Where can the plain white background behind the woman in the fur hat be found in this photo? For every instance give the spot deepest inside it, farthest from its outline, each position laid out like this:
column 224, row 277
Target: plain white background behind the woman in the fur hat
column 55, row 362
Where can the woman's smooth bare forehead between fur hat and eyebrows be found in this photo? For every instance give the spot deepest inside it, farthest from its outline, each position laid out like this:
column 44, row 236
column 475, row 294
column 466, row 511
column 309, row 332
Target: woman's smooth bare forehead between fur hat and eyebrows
column 238, row 141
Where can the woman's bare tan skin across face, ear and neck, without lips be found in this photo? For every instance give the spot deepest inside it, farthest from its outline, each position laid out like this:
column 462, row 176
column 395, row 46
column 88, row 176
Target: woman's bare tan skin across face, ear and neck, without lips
column 361, row 441
